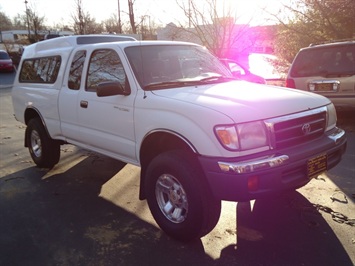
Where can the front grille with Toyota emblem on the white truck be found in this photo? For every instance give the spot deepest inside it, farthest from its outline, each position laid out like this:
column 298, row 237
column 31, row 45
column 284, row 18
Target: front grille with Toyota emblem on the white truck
column 288, row 133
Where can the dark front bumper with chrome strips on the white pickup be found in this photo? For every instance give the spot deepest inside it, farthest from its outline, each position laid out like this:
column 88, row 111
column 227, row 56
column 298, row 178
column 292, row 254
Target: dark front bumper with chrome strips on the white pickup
column 249, row 177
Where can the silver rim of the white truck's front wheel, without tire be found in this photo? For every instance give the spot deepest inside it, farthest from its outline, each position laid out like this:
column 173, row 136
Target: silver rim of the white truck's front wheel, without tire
column 171, row 198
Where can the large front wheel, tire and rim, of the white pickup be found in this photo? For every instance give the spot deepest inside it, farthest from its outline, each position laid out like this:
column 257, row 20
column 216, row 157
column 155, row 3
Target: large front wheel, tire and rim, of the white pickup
column 179, row 198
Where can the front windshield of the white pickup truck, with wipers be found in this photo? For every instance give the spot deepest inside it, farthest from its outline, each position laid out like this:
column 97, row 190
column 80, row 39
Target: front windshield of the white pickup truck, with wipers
column 164, row 66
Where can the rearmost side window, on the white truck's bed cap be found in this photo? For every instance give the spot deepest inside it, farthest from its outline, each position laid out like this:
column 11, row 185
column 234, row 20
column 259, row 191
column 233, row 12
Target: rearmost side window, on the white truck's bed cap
column 40, row 70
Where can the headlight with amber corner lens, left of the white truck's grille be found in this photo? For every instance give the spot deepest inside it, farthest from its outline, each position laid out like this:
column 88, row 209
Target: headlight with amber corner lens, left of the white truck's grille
column 243, row 136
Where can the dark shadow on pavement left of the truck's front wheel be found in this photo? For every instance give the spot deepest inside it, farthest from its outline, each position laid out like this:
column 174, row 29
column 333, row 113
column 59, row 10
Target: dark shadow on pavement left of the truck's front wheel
column 60, row 219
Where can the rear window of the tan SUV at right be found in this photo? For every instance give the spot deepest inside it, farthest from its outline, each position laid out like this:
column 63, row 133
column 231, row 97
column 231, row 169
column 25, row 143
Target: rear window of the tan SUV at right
column 325, row 62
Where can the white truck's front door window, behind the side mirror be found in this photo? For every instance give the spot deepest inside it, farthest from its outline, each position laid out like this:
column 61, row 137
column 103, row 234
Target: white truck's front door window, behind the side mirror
column 105, row 65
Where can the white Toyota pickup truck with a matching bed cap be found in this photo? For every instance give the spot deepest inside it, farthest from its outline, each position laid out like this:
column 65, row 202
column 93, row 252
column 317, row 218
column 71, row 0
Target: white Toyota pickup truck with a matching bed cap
column 199, row 135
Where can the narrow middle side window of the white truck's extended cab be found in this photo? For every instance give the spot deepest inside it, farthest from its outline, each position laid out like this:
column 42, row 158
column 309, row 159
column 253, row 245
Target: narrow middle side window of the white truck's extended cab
column 76, row 70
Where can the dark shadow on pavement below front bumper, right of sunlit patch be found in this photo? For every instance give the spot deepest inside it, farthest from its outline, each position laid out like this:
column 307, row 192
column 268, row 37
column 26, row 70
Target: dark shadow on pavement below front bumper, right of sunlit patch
column 284, row 230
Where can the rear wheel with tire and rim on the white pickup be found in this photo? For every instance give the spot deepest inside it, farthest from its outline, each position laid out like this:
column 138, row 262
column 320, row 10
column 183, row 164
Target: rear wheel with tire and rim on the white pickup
column 45, row 152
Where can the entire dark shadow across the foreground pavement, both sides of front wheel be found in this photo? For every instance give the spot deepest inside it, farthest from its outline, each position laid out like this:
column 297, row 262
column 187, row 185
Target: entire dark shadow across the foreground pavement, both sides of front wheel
column 59, row 218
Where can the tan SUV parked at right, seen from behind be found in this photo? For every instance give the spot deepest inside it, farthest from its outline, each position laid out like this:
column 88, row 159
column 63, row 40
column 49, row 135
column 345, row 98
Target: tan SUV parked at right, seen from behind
column 326, row 69
